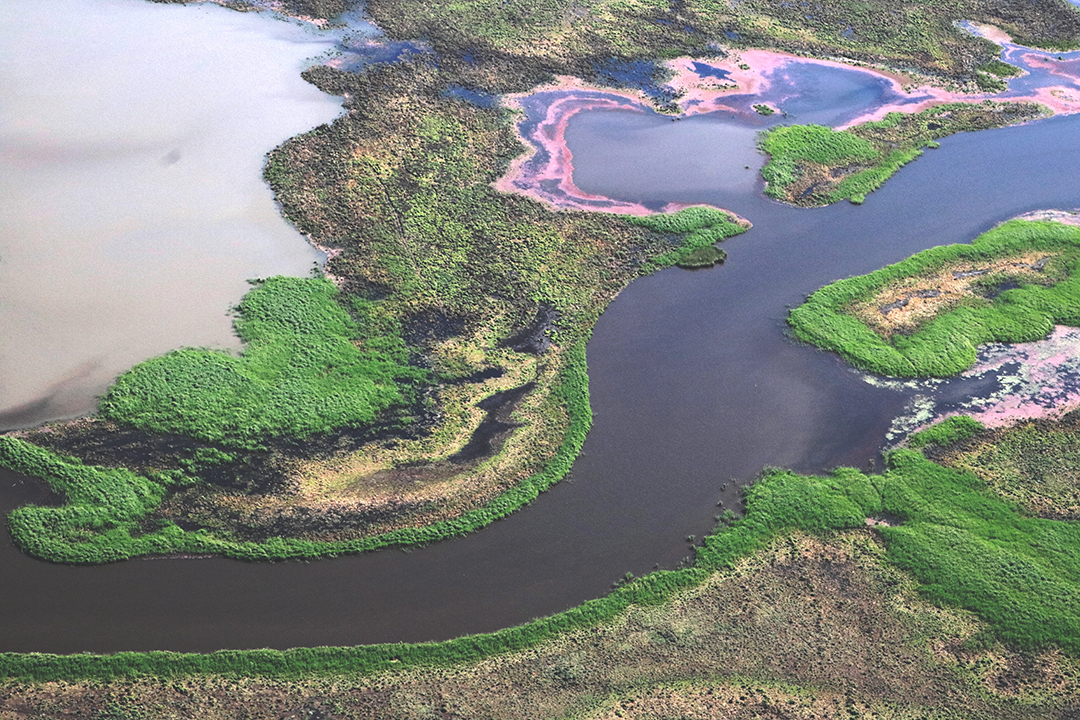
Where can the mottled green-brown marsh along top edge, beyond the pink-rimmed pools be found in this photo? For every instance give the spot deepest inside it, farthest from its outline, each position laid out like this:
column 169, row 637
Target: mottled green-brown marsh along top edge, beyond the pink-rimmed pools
column 509, row 47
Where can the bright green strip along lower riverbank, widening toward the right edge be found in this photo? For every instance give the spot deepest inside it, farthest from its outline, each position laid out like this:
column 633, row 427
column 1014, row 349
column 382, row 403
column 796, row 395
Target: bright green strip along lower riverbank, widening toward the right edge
column 967, row 547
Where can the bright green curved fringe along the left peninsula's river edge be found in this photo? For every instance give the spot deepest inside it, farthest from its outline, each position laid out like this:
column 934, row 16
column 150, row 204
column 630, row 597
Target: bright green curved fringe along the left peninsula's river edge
column 110, row 513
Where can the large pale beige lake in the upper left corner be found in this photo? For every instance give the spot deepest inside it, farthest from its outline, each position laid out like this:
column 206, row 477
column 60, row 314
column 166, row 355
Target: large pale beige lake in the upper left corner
column 132, row 207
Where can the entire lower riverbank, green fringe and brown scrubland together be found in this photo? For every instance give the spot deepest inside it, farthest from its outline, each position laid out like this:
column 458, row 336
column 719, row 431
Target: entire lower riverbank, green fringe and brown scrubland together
column 923, row 592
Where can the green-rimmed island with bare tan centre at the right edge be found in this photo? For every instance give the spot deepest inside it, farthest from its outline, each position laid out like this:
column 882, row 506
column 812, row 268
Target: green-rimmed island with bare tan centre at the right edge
column 926, row 317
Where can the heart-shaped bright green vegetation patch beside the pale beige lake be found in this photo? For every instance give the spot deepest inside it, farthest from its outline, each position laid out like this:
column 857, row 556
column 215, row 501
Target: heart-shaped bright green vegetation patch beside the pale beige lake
column 302, row 373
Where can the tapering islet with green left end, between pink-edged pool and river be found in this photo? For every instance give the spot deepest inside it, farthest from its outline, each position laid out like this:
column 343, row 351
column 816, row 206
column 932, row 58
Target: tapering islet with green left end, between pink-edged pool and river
column 814, row 166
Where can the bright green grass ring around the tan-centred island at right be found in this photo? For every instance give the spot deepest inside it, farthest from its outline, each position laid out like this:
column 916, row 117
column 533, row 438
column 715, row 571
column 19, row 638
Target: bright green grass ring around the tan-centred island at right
column 946, row 343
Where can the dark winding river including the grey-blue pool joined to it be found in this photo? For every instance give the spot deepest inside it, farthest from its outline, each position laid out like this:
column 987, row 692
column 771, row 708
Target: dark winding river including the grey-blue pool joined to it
column 695, row 388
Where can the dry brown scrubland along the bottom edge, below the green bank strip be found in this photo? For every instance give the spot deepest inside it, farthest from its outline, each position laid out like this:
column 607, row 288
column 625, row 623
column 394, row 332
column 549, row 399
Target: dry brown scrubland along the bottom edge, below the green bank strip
column 807, row 629
